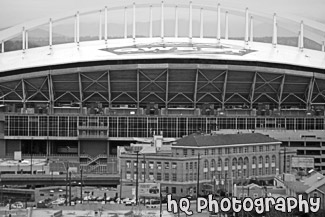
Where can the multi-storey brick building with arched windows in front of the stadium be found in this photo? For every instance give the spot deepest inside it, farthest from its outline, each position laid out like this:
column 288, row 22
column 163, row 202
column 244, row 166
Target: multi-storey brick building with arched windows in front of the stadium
column 204, row 159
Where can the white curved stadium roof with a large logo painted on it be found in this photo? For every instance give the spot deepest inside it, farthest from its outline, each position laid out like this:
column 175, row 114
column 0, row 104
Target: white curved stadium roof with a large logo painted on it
column 154, row 48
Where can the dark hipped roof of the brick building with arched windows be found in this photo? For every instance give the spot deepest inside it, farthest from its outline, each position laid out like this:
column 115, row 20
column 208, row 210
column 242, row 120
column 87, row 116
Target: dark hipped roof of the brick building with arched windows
column 199, row 140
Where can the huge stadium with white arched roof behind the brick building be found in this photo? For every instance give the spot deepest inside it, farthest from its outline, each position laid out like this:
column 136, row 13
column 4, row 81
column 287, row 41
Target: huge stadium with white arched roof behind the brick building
column 172, row 74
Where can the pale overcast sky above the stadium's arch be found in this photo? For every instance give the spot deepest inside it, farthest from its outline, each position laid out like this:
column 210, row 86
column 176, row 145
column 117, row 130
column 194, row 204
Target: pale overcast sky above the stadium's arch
column 13, row 12
